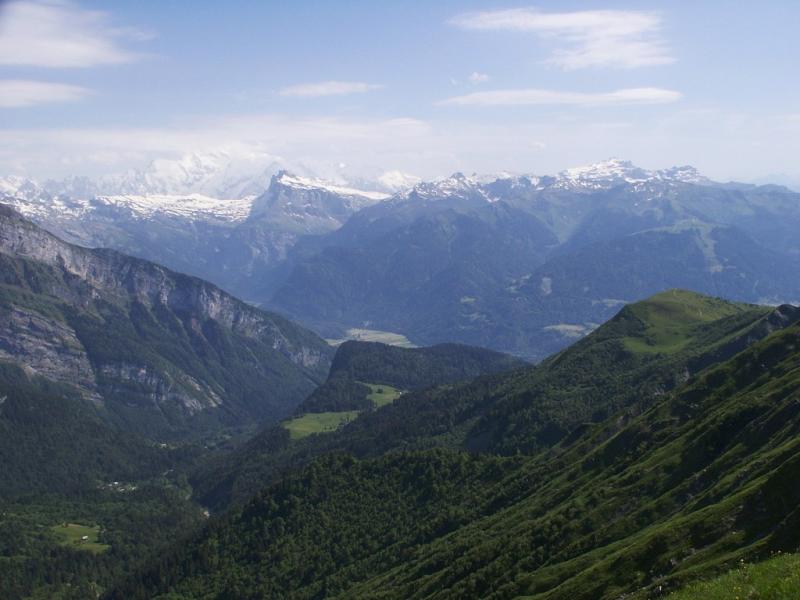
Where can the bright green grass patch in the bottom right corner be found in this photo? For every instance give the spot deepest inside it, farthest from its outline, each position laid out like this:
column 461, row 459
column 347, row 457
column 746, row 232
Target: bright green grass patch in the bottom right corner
column 774, row 579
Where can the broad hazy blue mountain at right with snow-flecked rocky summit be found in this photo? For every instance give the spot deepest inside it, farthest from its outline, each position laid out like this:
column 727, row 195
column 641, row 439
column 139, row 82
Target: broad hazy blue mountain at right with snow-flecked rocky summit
column 526, row 264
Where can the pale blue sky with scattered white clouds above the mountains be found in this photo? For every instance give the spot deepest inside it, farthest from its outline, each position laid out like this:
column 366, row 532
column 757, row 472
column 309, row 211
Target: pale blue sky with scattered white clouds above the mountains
column 427, row 88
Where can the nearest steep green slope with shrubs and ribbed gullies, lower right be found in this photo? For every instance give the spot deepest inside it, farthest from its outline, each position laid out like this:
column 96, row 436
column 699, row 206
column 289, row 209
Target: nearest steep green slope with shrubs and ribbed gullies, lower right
column 635, row 505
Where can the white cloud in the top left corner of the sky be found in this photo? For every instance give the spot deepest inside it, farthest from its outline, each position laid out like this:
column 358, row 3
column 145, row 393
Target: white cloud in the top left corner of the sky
column 59, row 34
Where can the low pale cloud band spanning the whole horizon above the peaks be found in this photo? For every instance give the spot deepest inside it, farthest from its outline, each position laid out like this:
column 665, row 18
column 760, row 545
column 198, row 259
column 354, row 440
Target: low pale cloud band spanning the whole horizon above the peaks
column 723, row 146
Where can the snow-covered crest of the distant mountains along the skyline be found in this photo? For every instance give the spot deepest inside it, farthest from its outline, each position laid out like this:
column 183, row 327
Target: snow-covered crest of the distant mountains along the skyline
column 227, row 188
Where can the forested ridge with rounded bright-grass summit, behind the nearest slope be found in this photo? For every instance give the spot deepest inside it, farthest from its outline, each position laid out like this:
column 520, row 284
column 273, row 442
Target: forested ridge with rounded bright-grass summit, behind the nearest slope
column 527, row 410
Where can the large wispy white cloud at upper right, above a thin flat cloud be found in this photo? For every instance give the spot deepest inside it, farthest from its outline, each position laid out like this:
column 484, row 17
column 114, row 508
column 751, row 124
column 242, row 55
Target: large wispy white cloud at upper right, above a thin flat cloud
column 594, row 38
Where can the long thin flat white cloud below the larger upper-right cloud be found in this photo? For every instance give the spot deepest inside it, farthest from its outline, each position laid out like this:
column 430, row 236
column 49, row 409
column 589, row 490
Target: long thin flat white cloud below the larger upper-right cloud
column 553, row 97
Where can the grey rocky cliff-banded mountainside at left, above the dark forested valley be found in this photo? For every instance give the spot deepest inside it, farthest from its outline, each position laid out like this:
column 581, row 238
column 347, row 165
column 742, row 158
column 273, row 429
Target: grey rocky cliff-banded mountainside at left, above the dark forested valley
column 163, row 354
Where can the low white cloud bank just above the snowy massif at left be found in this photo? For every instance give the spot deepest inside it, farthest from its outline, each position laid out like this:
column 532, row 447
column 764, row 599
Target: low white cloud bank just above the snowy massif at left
column 314, row 140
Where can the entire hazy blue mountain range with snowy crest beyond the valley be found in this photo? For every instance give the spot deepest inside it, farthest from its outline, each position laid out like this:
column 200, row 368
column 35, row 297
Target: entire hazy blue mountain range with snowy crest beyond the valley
column 522, row 264
